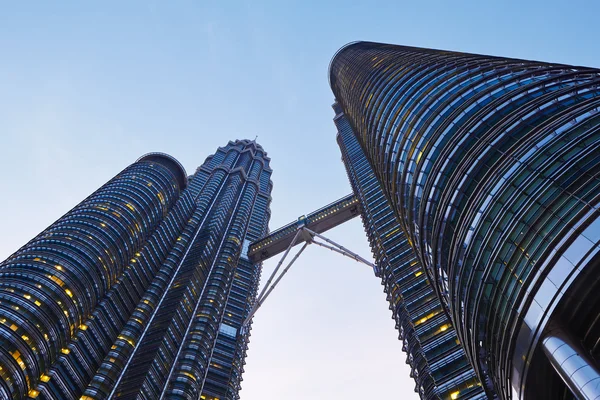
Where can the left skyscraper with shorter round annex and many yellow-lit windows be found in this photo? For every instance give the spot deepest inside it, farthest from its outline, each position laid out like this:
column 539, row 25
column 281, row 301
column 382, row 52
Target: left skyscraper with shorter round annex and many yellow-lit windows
column 141, row 289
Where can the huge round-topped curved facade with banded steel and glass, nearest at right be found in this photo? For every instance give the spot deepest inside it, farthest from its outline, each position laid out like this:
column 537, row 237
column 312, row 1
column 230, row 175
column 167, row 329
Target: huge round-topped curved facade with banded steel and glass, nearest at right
column 491, row 166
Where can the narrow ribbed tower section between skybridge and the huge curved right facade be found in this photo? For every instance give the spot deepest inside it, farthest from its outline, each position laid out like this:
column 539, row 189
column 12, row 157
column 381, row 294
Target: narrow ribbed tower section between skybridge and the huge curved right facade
column 438, row 363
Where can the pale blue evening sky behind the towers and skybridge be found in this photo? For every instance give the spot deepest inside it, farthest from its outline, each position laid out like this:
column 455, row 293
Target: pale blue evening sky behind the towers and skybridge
column 88, row 87
